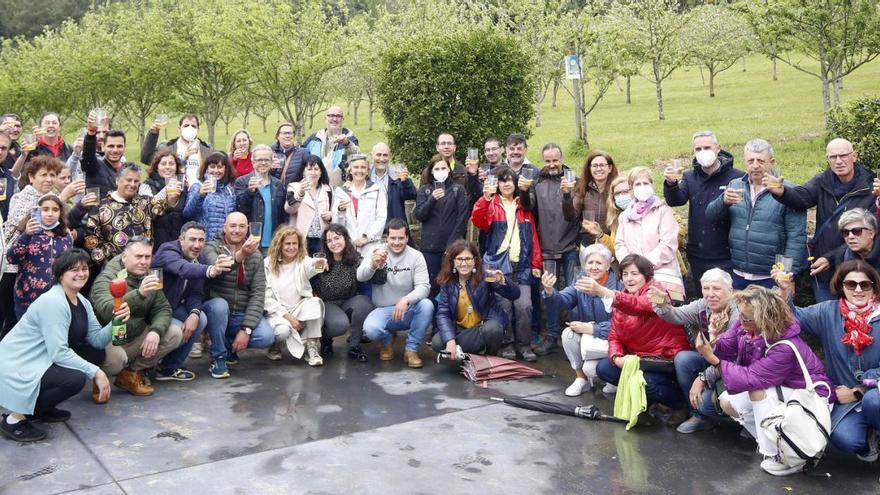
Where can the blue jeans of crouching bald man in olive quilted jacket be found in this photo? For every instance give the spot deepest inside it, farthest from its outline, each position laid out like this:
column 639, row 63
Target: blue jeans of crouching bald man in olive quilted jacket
column 223, row 325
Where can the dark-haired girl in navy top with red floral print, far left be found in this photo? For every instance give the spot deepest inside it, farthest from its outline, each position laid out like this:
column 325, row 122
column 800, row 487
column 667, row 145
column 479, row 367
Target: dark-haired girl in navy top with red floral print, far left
column 43, row 238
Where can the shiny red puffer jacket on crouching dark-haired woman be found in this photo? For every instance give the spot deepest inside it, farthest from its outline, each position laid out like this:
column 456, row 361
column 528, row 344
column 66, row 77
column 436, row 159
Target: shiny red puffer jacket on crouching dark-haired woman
column 636, row 329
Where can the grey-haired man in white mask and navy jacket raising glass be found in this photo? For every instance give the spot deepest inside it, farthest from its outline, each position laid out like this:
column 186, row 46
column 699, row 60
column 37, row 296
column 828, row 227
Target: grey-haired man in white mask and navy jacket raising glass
column 712, row 169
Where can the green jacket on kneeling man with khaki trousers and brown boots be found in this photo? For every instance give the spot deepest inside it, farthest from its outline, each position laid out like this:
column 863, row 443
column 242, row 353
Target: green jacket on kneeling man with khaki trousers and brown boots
column 147, row 313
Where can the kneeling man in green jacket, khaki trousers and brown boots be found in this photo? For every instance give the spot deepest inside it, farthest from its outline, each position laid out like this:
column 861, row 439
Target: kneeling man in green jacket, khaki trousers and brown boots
column 149, row 335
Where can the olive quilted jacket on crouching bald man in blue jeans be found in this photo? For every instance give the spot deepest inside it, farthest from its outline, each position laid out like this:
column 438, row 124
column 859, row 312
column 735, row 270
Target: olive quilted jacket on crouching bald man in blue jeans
column 247, row 297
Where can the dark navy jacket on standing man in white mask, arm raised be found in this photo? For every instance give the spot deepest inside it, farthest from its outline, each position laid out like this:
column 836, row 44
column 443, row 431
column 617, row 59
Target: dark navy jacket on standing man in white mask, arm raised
column 707, row 240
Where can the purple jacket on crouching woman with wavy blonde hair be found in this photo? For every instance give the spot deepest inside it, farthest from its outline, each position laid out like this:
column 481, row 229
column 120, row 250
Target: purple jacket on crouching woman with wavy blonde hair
column 744, row 366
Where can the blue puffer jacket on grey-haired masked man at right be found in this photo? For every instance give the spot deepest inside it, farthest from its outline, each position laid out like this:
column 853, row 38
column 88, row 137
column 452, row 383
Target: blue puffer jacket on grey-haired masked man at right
column 759, row 233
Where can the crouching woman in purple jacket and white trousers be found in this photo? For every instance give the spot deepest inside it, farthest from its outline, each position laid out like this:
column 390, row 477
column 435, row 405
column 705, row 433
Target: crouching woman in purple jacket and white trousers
column 757, row 374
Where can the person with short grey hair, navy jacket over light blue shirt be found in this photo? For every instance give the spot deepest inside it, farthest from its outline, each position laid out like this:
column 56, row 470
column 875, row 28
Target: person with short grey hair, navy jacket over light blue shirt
column 258, row 195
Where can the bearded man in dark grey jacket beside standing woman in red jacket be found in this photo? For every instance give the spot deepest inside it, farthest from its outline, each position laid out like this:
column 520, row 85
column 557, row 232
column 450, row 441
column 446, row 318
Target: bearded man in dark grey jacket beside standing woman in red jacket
column 557, row 235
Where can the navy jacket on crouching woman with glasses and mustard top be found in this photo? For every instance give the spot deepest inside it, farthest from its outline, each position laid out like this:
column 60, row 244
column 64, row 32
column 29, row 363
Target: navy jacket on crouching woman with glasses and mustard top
column 483, row 298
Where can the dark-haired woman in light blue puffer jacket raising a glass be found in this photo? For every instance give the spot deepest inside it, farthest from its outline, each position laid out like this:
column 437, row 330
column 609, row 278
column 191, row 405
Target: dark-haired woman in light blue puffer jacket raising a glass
column 210, row 201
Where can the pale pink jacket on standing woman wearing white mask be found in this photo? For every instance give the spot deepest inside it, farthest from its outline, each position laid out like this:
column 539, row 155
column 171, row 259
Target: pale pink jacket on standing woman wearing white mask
column 654, row 236
